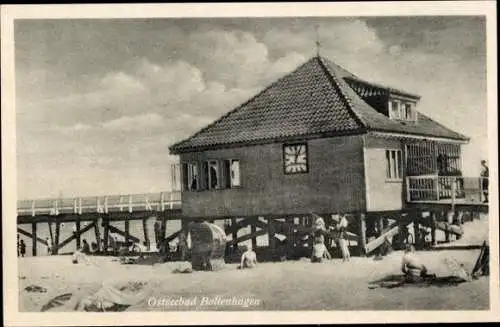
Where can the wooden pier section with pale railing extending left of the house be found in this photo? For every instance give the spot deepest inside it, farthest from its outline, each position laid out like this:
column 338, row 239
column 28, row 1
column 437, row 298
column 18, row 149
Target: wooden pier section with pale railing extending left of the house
column 96, row 212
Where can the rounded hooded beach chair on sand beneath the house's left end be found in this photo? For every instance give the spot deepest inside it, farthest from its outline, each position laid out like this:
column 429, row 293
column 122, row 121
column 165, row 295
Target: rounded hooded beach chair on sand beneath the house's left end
column 208, row 245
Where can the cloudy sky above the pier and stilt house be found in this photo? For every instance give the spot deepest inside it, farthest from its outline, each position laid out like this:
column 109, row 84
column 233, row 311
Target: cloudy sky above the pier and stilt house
column 98, row 102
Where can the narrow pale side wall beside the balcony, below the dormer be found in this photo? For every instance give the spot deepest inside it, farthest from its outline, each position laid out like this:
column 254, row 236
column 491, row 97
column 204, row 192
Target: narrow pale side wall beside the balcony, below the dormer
column 381, row 194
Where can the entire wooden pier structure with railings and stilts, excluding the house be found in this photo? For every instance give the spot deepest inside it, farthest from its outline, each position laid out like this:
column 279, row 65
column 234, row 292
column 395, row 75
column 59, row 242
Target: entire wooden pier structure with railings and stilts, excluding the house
column 444, row 201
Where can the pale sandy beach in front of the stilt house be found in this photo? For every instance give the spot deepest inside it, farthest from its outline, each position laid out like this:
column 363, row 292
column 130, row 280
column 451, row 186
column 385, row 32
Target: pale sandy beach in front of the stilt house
column 292, row 285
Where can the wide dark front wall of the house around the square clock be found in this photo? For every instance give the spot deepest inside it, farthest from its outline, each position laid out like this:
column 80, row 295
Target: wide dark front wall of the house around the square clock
column 335, row 181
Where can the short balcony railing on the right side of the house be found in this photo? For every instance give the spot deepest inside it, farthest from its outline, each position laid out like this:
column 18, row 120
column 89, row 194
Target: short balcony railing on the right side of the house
column 441, row 188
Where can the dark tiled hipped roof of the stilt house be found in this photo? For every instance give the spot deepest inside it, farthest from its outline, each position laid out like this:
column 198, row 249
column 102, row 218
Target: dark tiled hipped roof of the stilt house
column 312, row 100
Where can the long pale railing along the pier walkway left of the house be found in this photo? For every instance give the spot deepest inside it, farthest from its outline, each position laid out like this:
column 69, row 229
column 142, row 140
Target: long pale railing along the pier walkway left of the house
column 101, row 204
